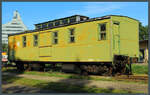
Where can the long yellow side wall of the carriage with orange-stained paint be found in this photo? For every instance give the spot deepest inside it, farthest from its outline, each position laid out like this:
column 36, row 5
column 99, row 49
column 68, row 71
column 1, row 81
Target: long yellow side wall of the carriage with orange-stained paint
column 86, row 47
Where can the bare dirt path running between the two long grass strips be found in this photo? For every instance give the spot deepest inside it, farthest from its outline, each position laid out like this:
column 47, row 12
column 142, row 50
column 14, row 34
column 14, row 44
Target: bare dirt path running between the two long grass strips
column 90, row 83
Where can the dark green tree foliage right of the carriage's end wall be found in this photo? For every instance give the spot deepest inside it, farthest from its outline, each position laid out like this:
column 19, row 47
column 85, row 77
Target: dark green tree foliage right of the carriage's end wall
column 143, row 32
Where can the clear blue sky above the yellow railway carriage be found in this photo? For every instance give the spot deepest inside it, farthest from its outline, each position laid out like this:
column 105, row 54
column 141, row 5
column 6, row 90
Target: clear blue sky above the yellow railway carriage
column 37, row 12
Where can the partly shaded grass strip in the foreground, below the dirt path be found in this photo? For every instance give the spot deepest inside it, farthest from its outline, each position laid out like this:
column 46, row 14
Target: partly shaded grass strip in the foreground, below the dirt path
column 61, row 87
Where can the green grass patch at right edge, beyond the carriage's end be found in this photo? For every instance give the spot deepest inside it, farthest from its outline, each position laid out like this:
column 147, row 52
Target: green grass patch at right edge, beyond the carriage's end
column 139, row 69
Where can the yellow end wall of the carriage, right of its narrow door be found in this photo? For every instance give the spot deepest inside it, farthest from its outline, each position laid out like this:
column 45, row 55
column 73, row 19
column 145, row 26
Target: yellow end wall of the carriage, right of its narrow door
column 129, row 36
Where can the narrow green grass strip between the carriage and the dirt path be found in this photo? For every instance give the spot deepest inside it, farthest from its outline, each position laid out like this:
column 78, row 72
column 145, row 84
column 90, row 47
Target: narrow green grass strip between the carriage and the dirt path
column 72, row 76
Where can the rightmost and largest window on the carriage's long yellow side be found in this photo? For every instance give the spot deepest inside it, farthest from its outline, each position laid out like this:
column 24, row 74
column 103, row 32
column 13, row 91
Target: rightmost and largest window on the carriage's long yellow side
column 102, row 31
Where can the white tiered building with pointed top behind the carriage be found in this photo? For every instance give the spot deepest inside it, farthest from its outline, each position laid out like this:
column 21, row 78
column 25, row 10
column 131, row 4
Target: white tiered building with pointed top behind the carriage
column 14, row 26
